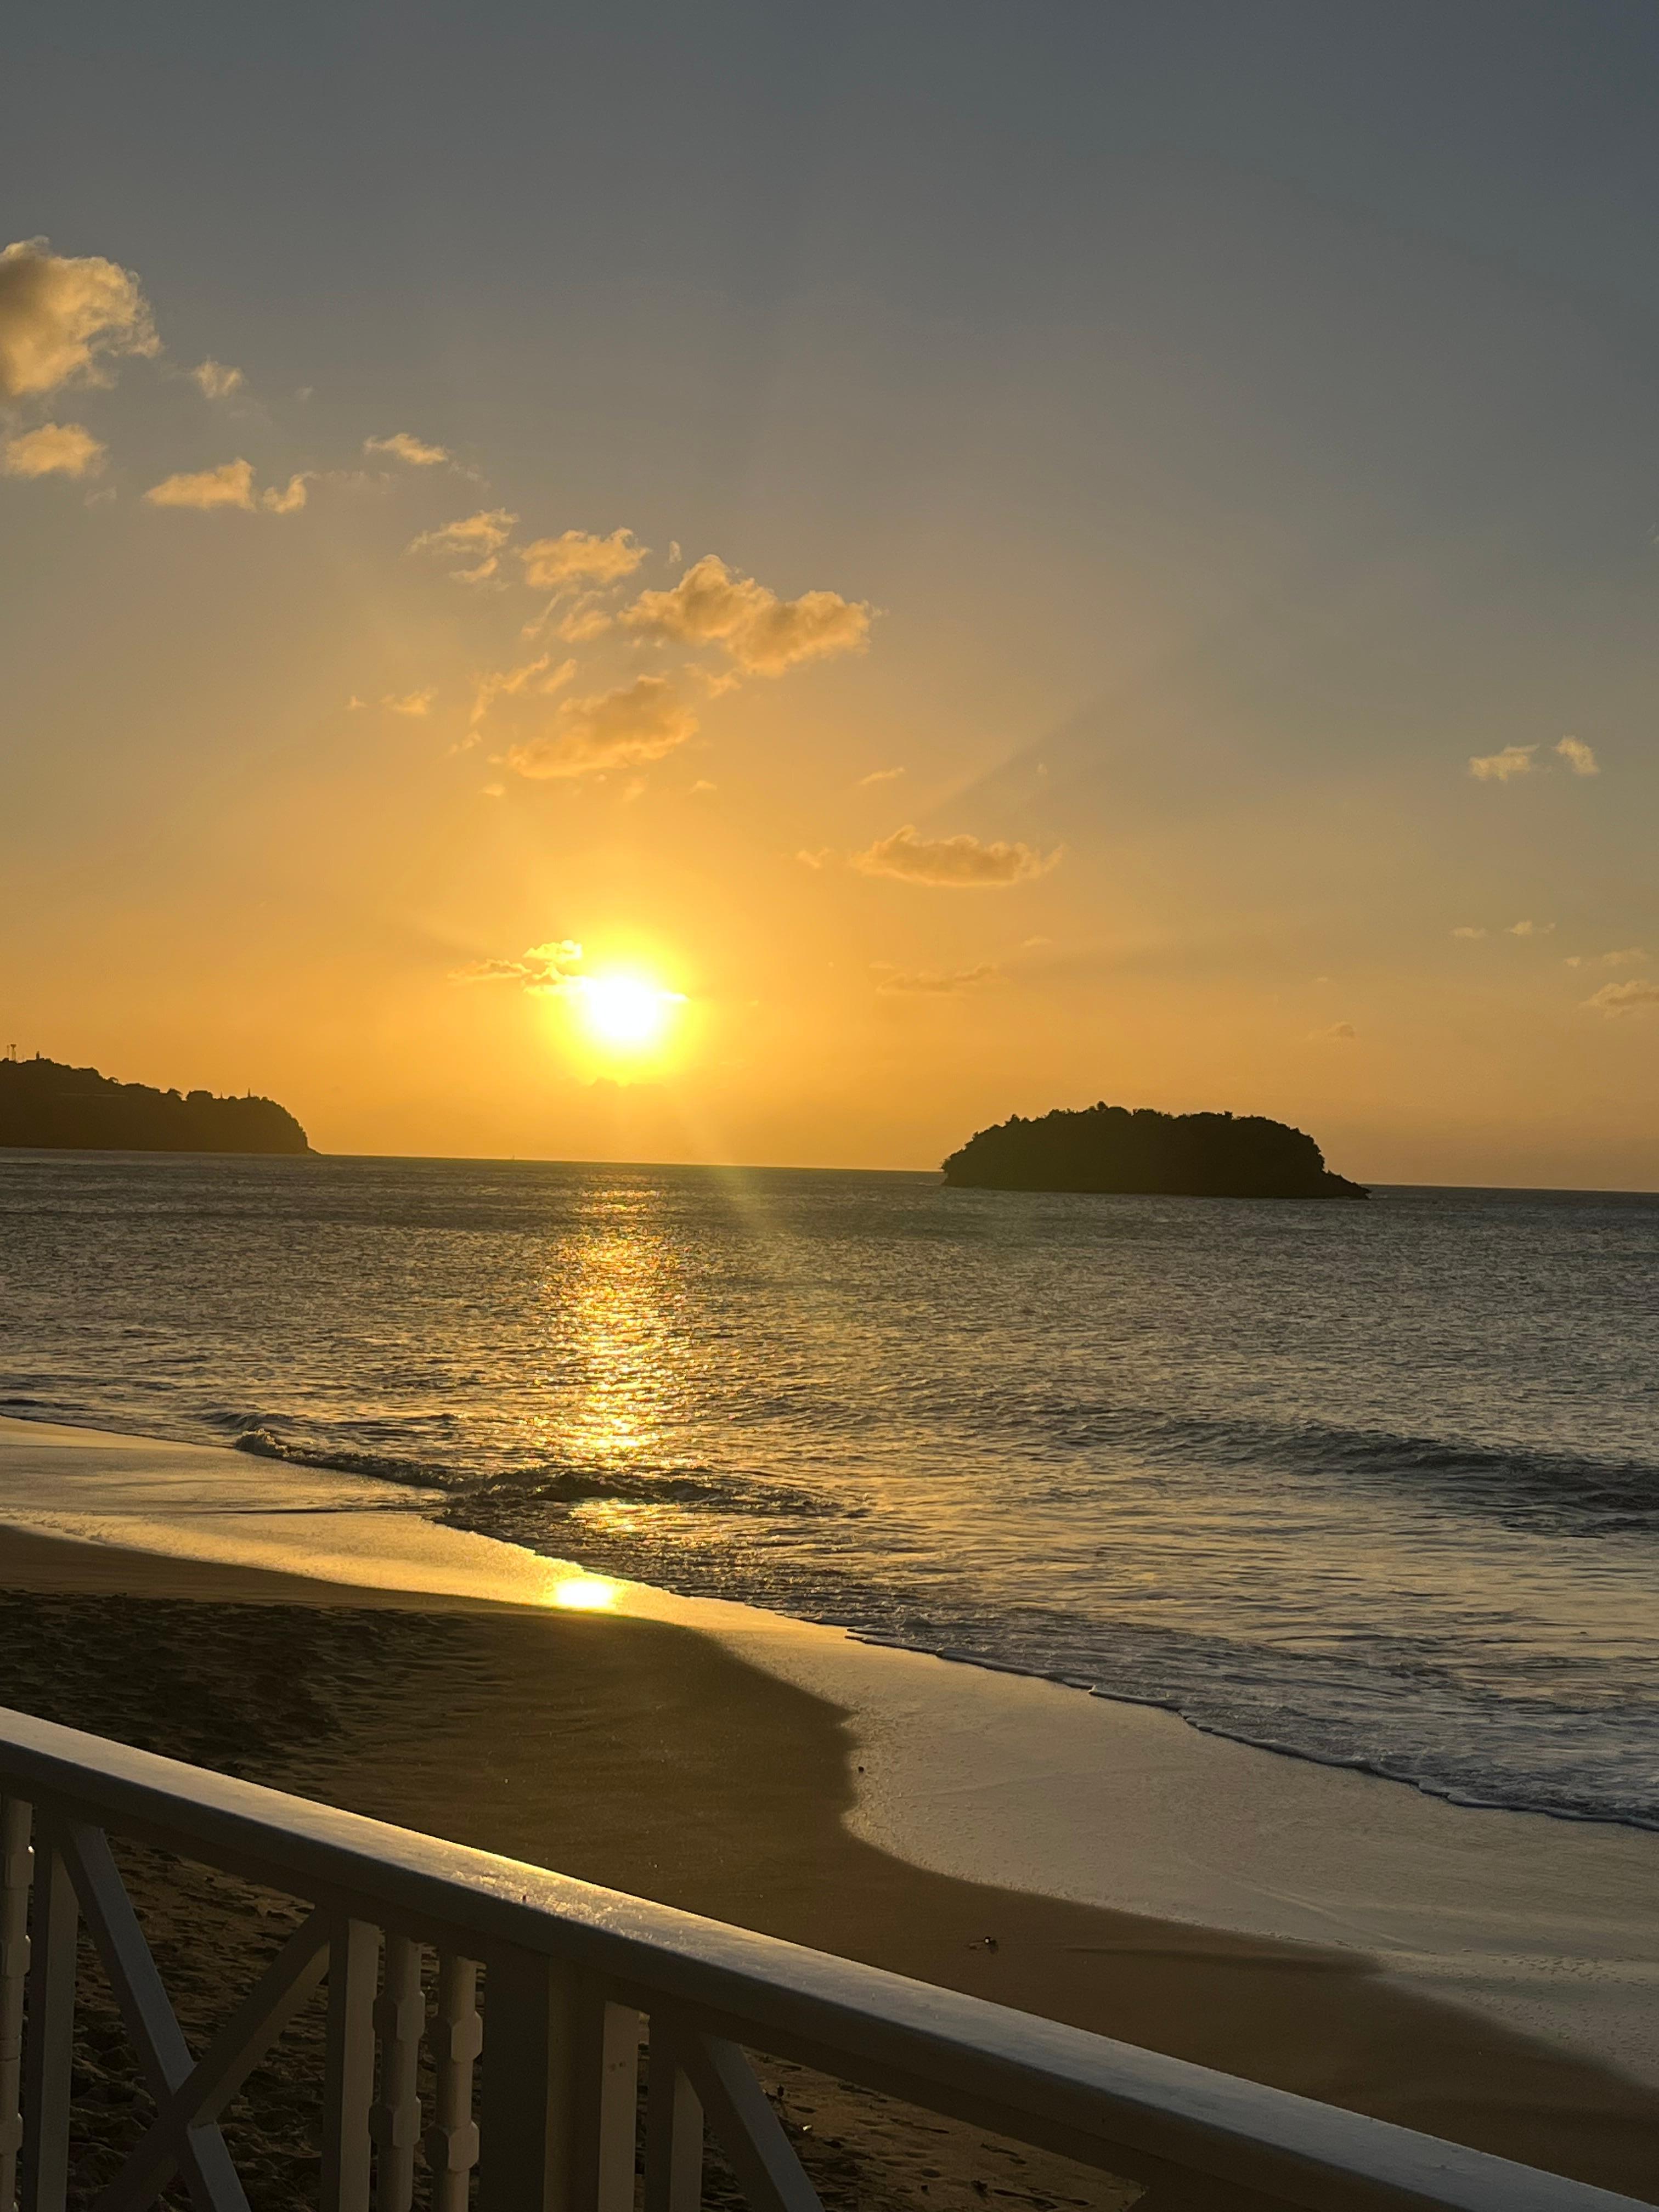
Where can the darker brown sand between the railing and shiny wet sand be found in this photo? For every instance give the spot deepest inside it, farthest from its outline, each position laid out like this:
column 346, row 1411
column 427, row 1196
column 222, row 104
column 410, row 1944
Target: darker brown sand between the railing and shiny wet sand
column 645, row 1755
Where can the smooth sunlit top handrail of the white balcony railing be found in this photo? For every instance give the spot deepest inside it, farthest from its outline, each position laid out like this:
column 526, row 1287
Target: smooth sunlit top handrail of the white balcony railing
column 782, row 1996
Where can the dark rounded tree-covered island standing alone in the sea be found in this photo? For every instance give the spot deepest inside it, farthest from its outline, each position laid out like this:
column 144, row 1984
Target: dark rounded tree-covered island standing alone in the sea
column 1211, row 1156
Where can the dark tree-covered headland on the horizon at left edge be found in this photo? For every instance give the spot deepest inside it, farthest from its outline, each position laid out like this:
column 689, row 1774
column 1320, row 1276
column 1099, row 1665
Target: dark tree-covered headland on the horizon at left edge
column 50, row 1107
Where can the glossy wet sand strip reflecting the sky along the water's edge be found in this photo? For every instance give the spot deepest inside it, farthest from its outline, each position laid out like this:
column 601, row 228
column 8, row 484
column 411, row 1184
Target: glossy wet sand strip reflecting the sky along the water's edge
column 992, row 1775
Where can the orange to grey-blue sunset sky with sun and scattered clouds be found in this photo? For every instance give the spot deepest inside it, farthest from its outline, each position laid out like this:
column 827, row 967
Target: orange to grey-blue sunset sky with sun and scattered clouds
column 784, row 583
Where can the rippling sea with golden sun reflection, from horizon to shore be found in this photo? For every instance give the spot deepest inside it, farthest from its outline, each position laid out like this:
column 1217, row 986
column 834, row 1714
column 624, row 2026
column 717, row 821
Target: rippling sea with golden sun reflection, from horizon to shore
column 1375, row 1485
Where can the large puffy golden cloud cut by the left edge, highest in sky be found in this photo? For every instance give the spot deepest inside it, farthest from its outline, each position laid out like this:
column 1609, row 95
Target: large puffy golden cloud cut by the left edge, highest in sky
column 65, row 317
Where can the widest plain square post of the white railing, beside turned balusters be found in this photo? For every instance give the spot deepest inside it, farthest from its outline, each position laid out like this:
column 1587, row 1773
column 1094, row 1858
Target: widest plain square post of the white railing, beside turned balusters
column 525, row 2153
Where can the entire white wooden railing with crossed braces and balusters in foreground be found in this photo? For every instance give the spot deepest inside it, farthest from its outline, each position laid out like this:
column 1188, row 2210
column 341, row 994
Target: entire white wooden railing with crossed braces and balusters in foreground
column 534, row 2091
